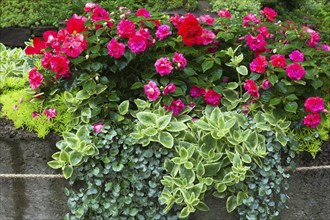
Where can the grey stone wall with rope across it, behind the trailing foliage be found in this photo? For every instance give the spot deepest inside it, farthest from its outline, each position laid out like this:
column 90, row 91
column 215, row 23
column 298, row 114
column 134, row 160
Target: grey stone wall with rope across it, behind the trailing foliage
column 22, row 152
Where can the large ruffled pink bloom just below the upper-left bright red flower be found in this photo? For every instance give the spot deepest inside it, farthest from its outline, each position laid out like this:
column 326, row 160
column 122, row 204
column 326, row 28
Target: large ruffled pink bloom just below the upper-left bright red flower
column 74, row 45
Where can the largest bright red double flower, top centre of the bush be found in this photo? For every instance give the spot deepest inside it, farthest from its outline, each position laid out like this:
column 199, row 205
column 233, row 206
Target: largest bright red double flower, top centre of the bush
column 190, row 30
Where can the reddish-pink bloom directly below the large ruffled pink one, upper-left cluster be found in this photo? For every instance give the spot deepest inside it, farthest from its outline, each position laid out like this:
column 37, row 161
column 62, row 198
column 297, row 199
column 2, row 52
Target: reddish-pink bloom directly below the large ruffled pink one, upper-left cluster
column 60, row 65
